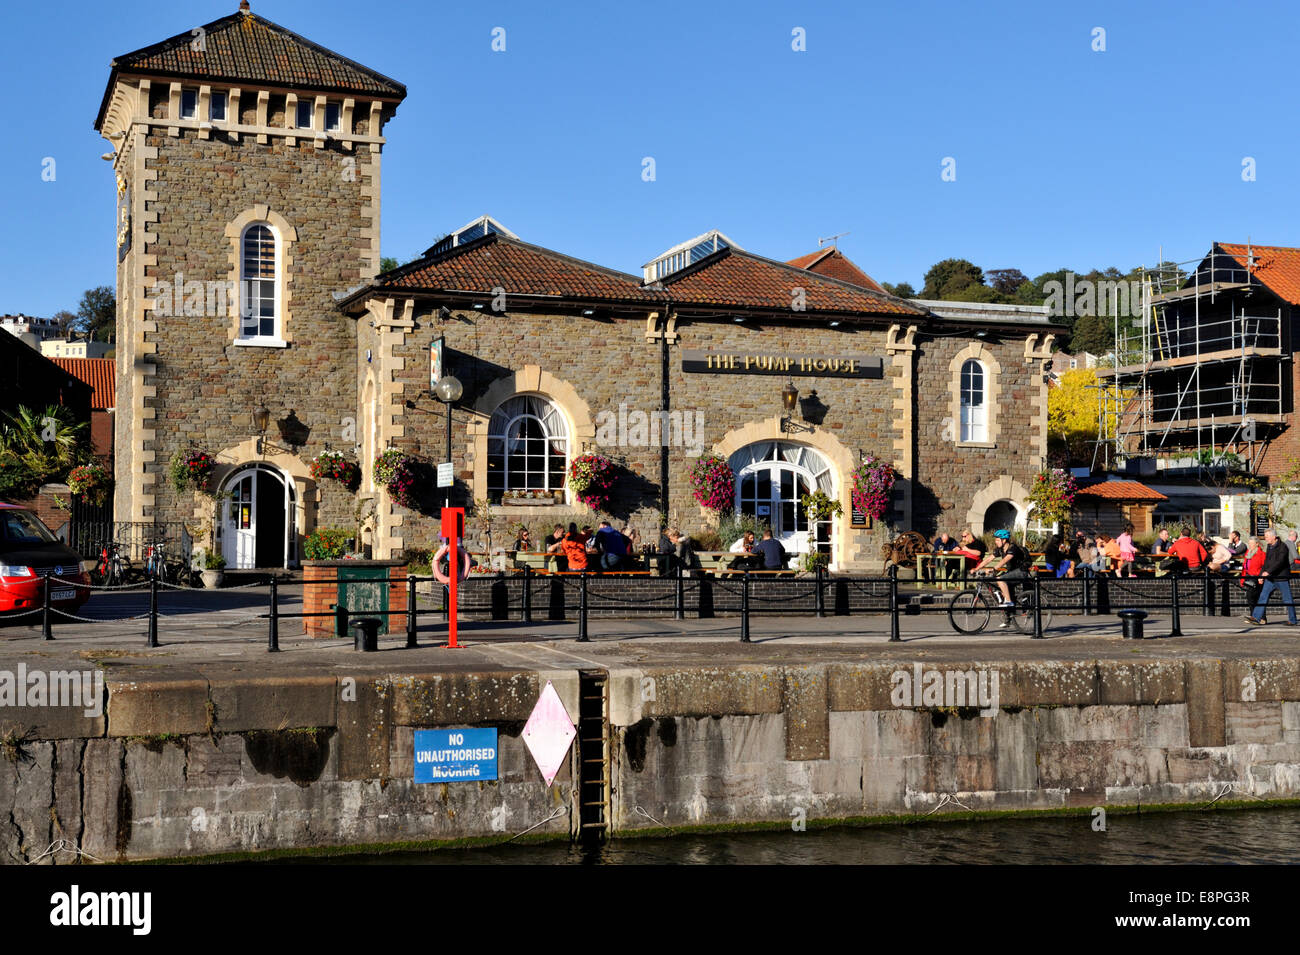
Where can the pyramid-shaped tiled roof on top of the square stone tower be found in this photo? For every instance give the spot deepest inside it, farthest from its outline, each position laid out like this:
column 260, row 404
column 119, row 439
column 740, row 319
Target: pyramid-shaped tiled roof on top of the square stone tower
column 248, row 49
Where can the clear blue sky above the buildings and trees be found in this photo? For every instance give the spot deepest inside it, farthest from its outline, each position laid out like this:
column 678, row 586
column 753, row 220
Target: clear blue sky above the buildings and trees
column 1065, row 158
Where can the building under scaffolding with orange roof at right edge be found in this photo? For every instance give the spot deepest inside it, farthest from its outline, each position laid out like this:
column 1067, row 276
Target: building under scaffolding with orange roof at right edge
column 1204, row 375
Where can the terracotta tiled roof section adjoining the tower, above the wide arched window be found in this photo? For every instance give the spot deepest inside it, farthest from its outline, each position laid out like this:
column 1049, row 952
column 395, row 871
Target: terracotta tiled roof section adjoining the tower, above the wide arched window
column 519, row 268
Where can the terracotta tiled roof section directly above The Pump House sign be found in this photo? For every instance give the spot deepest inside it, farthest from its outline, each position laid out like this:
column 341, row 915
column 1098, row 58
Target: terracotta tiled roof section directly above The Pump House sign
column 736, row 279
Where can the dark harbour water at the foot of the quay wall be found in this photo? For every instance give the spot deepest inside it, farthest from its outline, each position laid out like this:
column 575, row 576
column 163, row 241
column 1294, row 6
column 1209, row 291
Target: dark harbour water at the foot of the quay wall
column 1214, row 837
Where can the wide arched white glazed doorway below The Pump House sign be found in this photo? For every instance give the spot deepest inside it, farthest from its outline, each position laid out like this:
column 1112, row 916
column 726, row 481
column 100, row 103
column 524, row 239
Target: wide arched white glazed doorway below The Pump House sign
column 772, row 479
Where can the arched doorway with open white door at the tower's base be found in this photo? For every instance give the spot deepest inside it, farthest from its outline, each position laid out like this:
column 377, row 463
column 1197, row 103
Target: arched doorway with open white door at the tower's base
column 258, row 519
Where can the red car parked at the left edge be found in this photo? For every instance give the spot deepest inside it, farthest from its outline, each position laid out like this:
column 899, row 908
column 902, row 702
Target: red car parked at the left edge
column 29, row 552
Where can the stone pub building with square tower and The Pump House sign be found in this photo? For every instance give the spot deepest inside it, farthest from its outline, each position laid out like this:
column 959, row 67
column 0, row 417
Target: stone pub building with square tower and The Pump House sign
column 248, row 171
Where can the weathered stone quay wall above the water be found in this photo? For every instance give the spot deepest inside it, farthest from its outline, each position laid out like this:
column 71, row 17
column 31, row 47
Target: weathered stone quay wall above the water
column 206, row 766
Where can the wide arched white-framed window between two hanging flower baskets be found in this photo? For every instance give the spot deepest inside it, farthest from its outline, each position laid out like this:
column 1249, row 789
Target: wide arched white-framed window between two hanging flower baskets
column 527, row 449
